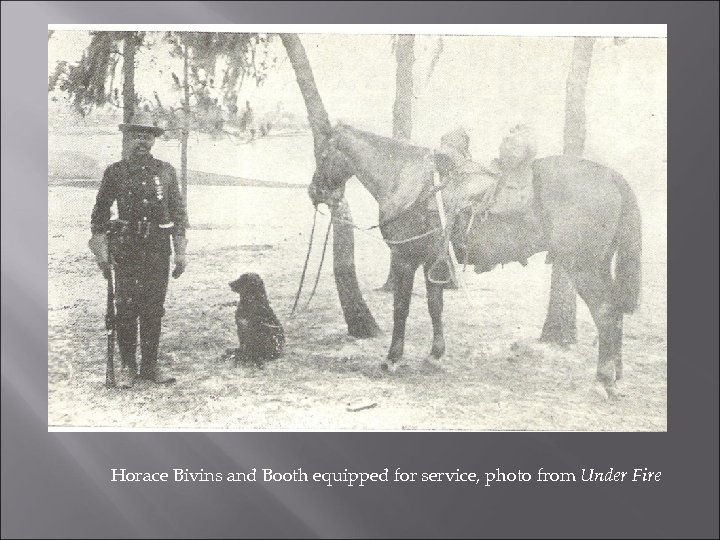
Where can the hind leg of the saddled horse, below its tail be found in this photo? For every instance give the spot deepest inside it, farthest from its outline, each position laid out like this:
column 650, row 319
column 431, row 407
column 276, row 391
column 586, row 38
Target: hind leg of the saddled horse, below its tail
column 595, row 287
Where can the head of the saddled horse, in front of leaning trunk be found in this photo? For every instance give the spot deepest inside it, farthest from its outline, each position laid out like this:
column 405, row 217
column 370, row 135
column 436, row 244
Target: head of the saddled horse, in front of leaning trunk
column 332, row 171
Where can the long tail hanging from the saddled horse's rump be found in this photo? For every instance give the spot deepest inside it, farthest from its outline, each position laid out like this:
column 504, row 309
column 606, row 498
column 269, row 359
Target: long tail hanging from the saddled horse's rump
column 628, row 264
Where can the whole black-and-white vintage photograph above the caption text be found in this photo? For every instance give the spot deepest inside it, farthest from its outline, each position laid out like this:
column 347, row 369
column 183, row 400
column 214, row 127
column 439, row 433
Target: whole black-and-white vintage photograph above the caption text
column 262, row 231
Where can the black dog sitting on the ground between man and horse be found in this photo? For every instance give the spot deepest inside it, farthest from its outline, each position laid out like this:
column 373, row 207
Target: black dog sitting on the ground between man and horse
column 260, row 334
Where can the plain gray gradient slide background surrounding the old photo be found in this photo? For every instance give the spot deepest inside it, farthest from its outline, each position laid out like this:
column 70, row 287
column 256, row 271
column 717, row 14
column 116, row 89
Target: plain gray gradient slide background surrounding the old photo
column 57, row 484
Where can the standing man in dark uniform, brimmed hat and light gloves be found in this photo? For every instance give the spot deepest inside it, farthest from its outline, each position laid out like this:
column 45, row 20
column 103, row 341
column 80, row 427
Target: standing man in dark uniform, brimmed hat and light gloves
column 153, row 212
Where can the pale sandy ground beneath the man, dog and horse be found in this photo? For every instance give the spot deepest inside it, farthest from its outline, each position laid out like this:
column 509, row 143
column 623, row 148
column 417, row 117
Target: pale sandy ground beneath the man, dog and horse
column 495, row 375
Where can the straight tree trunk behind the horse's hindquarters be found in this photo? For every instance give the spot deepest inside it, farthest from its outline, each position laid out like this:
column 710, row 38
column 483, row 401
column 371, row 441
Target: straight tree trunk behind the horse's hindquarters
column 560, row 324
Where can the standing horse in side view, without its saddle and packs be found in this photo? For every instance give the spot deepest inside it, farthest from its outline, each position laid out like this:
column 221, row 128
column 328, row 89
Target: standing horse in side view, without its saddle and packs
column 583, row 214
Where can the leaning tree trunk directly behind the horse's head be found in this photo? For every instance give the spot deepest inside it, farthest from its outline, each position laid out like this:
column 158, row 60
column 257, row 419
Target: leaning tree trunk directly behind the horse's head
column 359, row 320
